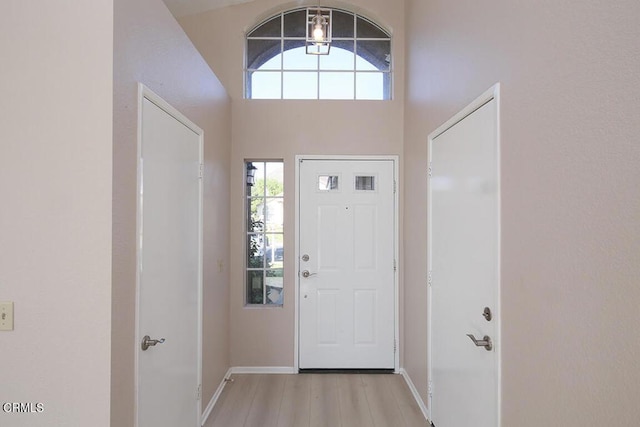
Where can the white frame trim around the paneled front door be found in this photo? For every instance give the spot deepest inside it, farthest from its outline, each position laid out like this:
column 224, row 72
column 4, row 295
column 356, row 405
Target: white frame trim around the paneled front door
column 396, row 250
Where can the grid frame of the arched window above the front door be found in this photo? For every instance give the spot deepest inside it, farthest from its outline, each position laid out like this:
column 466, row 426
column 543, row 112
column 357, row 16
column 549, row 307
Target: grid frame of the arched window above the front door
column 387, row 74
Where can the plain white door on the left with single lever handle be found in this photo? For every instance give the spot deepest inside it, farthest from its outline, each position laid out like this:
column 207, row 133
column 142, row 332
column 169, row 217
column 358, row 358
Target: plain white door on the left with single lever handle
column 169, row 271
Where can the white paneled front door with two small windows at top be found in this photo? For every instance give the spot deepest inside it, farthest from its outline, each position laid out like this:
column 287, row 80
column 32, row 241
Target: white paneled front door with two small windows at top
column 347, row 279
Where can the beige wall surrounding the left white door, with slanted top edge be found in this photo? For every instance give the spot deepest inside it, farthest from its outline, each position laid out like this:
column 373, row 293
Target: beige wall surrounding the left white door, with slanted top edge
column 150, row 47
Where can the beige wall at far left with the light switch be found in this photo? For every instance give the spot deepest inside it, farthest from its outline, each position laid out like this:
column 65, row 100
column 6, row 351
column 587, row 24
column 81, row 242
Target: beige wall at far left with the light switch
column 55, row 214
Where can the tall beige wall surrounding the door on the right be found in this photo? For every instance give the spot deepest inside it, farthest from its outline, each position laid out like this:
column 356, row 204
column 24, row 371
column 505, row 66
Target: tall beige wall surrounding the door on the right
column 570, row 198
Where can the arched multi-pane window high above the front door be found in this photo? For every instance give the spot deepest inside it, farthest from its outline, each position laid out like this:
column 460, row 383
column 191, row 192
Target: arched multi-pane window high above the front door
column 358, row 65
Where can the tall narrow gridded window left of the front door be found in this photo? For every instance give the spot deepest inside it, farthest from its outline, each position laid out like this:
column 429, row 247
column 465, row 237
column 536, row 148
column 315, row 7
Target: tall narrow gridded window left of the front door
column 264, row 232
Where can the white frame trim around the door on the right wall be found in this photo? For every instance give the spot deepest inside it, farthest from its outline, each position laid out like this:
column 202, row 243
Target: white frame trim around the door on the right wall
column 492, row 93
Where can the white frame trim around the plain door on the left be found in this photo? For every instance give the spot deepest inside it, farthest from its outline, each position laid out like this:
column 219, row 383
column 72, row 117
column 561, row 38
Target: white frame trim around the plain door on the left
column 146, row 93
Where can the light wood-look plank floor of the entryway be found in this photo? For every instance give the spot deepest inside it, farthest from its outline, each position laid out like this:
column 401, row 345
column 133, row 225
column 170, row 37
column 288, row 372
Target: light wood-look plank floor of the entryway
column 313, row 400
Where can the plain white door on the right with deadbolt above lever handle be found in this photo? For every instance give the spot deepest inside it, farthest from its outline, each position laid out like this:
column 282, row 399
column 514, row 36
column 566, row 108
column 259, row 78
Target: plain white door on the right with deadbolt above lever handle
column 464, row 213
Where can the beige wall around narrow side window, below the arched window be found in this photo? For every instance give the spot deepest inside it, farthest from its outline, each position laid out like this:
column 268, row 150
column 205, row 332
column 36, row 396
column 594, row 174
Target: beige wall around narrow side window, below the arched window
column 265, row 337
